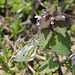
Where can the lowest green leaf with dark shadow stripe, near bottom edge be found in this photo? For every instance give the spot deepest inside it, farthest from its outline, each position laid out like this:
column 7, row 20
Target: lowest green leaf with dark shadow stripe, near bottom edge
column 48, row 66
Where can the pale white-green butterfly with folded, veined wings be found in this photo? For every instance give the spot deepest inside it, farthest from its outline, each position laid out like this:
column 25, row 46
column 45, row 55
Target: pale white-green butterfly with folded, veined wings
column 28, row 52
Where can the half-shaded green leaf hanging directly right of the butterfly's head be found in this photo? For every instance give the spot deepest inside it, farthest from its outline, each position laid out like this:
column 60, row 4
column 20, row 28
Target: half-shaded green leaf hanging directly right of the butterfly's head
column 44, row 37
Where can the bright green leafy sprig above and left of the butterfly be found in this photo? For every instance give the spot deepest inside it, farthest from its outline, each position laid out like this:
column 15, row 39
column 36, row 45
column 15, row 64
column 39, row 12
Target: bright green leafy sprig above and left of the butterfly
column 16, row 28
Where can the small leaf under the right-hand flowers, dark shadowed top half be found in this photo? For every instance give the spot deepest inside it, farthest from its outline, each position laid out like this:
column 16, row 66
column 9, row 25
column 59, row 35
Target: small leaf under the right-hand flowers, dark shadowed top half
column 60, row 27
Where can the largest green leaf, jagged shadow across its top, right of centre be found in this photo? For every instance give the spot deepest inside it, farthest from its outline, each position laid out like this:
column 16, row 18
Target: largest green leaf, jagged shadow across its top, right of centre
column 60, row 44
